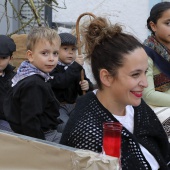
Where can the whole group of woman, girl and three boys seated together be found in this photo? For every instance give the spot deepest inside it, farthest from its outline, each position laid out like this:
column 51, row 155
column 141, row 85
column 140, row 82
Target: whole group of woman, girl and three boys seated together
column 44, row 98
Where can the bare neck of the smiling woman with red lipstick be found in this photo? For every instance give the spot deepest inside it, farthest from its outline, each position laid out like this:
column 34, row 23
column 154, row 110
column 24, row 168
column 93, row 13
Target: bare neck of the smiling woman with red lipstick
column 110, row 103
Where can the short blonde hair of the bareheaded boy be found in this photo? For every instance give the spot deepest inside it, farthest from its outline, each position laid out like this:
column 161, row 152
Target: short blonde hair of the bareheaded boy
column 39, row 33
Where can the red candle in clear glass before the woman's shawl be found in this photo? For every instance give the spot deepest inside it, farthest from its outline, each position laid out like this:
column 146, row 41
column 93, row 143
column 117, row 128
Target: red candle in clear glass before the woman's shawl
column 112, row 138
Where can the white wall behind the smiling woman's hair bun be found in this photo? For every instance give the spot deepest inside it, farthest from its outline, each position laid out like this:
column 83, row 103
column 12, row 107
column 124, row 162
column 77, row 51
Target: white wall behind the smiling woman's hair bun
column 131, row 13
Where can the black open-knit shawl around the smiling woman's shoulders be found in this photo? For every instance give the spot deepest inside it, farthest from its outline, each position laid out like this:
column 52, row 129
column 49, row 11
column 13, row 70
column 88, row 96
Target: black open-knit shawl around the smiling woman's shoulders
column 84, row 131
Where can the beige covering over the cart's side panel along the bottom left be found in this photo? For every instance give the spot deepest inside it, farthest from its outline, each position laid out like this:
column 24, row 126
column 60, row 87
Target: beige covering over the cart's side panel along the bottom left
column 18, row 152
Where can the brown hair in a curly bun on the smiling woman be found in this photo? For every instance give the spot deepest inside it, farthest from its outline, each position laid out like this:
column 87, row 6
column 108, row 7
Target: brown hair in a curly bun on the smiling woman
column 106, row 45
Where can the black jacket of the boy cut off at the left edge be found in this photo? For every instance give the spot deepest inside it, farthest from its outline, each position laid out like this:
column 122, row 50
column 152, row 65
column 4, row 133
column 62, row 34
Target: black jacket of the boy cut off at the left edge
column 5, row 85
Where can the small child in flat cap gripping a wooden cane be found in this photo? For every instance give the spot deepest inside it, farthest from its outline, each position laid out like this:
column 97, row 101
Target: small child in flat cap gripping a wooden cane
column 67, row 84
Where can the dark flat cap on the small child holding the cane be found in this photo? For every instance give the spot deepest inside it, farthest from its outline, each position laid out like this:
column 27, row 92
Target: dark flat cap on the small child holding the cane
column 67, row 39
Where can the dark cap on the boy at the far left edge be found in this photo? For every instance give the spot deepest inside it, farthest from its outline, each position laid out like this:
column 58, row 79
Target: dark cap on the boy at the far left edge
column 7, row 46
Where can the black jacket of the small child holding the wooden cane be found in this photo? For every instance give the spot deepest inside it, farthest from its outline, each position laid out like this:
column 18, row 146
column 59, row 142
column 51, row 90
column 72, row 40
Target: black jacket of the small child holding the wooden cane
column 65, row 83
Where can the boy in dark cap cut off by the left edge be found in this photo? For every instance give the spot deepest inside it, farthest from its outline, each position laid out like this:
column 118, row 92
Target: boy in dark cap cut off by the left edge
column 7, row 47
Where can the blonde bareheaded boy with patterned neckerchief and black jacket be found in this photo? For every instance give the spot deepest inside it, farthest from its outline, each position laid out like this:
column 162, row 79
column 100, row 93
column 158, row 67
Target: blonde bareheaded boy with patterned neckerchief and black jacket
column 30, row 106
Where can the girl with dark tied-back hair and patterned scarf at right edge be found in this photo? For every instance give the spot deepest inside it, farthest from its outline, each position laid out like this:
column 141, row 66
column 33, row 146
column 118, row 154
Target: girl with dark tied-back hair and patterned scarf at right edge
column 157, row 46
